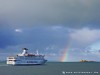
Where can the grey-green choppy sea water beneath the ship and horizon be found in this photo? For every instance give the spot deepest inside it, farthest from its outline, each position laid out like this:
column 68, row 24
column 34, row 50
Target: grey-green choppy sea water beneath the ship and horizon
column 53, row 68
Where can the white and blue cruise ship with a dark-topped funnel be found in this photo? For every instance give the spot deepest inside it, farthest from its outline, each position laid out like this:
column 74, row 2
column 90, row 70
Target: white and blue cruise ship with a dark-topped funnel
column 26, row 58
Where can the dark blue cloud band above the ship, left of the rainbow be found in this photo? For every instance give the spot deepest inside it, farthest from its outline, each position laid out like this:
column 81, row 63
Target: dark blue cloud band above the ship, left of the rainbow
column 38, row 36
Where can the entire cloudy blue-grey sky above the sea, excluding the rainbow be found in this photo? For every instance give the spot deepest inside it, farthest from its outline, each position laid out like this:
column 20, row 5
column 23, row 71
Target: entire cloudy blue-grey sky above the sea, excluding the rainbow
column 51, row 26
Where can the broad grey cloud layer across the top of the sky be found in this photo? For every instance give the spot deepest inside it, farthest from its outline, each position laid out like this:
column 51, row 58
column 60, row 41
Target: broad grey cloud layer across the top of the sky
column 71, row 13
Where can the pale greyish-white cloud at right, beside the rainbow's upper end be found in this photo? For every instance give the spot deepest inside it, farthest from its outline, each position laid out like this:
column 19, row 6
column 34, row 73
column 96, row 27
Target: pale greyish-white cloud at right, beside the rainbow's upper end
column 84, row 37
